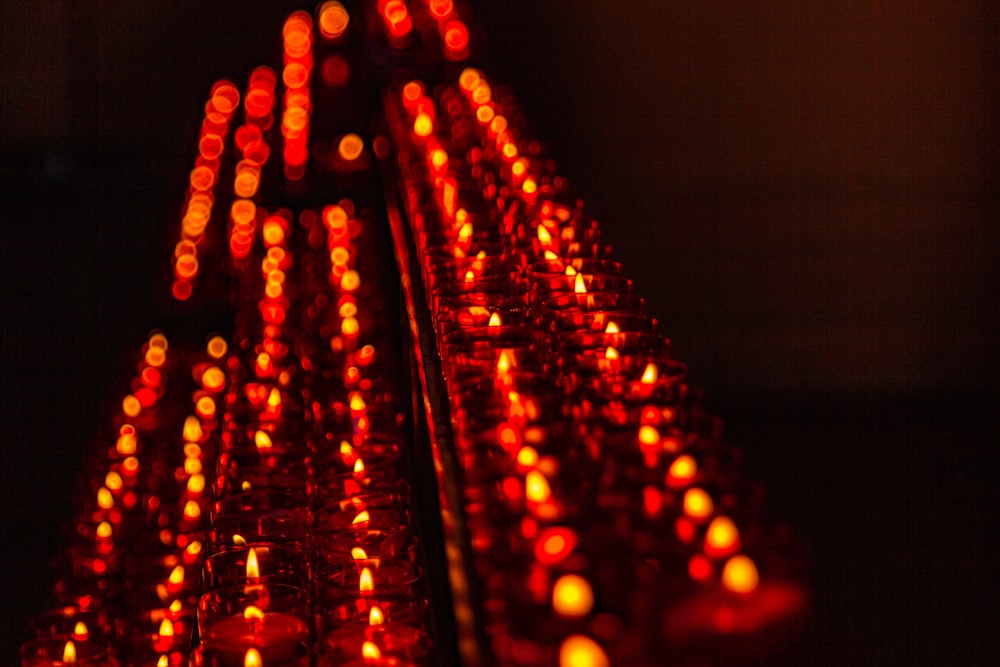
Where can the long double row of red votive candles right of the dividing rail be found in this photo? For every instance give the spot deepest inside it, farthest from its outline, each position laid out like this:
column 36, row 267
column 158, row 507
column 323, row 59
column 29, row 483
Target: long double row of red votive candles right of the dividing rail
column 606, row 516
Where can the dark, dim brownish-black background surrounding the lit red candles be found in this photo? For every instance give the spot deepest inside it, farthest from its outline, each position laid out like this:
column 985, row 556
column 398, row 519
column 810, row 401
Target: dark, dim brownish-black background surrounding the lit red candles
column 805, row 192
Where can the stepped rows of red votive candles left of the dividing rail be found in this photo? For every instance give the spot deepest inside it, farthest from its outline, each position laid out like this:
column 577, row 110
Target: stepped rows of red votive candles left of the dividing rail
column 256, row 510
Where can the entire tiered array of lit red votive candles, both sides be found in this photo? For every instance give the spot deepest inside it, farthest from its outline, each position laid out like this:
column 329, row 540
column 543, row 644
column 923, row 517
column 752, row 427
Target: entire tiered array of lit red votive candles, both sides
column 255, row 507
